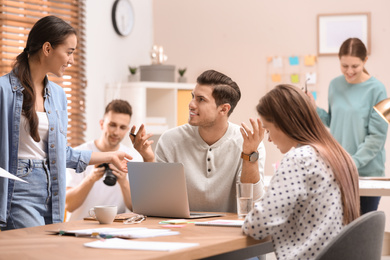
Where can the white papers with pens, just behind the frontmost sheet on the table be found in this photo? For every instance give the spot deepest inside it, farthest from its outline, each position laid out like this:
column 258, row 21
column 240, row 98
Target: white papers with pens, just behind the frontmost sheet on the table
column 121, row 232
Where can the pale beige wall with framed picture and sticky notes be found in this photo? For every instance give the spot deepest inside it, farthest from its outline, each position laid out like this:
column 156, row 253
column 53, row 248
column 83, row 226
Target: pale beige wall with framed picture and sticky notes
column 235, row 37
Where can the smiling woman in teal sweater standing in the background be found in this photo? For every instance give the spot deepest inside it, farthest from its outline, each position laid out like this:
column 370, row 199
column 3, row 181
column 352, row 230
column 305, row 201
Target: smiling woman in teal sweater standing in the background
column 351, row 117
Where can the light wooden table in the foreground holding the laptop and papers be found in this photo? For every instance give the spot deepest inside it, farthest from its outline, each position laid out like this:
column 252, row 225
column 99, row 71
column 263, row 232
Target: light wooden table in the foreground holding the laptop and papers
column 214, row 242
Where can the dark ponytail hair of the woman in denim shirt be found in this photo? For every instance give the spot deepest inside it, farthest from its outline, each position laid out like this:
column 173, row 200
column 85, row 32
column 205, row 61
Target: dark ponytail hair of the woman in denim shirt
column 48, row 29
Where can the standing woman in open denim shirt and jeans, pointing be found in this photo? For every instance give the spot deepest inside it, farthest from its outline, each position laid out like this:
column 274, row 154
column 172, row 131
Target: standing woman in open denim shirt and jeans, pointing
column 33, row 115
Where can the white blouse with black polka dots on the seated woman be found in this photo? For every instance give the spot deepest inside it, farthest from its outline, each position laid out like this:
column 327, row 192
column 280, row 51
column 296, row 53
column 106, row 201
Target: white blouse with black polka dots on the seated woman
column 301, row 209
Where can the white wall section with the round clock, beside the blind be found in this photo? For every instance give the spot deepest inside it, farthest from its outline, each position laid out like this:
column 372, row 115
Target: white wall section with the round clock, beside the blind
column 109, row 55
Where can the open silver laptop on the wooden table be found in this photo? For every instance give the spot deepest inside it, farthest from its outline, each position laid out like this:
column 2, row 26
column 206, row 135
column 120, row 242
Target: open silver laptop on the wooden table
column 159, row 190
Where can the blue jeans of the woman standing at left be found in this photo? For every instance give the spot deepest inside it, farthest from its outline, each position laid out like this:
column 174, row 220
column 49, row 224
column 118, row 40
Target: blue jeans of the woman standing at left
column 31, row 202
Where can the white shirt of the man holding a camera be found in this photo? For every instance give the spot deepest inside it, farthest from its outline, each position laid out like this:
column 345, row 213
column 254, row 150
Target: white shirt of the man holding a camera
column 100, row 194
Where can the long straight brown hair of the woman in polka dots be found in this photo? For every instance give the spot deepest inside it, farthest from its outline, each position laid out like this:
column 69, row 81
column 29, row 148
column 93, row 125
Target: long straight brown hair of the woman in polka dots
column 291, row 111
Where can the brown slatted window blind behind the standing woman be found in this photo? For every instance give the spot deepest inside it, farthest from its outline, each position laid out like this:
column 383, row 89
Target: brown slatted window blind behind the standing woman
column 17, row 19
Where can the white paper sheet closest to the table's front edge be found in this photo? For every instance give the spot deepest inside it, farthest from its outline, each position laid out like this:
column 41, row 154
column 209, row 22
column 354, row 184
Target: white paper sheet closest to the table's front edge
column 117, row 243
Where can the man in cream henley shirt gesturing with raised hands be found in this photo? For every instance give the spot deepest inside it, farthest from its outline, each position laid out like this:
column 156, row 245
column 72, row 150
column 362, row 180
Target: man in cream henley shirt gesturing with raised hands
column 215, row 152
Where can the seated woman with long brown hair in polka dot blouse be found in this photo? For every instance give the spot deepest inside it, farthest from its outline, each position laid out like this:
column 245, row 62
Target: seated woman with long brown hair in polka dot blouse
column 315, row 191
